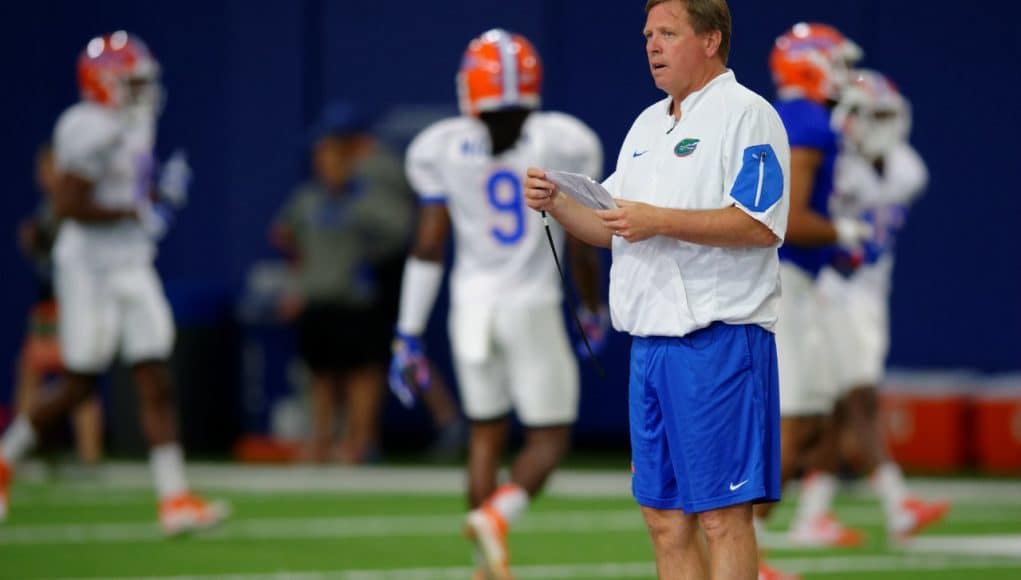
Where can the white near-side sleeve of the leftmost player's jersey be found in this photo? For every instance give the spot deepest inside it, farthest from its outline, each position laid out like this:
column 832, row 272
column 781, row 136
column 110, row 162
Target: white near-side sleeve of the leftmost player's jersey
column 83, row 141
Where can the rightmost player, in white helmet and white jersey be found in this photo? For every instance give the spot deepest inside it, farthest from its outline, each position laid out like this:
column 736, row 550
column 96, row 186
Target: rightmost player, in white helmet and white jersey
column 879, row 177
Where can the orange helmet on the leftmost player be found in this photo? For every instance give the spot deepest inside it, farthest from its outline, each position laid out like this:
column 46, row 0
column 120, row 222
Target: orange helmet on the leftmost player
column 117, row 71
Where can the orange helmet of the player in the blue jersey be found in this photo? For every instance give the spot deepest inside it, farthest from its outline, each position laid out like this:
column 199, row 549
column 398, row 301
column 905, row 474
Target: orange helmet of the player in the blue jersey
column 813, row 61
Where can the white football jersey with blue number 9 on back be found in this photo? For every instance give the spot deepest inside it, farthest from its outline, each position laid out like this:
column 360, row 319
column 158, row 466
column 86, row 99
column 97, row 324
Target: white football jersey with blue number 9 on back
column 502, row 253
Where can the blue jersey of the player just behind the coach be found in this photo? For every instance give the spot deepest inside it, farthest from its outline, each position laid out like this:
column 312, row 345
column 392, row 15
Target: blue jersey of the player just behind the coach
column 808, row 126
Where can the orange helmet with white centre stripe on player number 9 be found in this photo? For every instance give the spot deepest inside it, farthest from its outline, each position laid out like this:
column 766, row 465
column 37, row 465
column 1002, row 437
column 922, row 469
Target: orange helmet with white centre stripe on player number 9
column 500, row 71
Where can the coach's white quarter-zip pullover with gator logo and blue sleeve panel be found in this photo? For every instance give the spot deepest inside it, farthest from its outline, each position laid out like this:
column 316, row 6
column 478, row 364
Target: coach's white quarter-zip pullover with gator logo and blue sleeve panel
column 730, row 149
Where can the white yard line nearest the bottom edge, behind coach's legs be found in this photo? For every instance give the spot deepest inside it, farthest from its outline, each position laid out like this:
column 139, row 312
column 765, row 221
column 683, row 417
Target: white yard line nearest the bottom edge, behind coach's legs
column 816, row 566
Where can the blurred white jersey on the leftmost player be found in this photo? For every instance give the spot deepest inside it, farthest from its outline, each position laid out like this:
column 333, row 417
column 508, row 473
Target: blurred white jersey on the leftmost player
column 114, row 152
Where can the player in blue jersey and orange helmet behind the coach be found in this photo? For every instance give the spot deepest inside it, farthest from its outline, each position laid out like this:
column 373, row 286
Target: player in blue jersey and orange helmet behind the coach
column 810, row 66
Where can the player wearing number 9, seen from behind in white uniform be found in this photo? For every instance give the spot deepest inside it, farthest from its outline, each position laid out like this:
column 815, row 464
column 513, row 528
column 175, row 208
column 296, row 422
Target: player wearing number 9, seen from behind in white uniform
column 510, row 346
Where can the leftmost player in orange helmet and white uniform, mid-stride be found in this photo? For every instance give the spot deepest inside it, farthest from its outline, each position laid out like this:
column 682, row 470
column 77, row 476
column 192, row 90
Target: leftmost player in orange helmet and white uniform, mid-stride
column 110, row 295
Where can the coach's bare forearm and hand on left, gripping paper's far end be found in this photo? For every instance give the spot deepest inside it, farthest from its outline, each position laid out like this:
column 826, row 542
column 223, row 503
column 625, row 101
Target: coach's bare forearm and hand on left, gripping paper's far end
column 581, row 222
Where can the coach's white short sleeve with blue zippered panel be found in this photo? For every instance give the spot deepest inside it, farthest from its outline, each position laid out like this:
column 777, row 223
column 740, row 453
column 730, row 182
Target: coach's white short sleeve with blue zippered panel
column 757, row 167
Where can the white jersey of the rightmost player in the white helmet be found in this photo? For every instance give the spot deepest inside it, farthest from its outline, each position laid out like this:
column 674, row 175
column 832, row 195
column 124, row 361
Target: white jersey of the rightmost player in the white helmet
column 884, row 199
